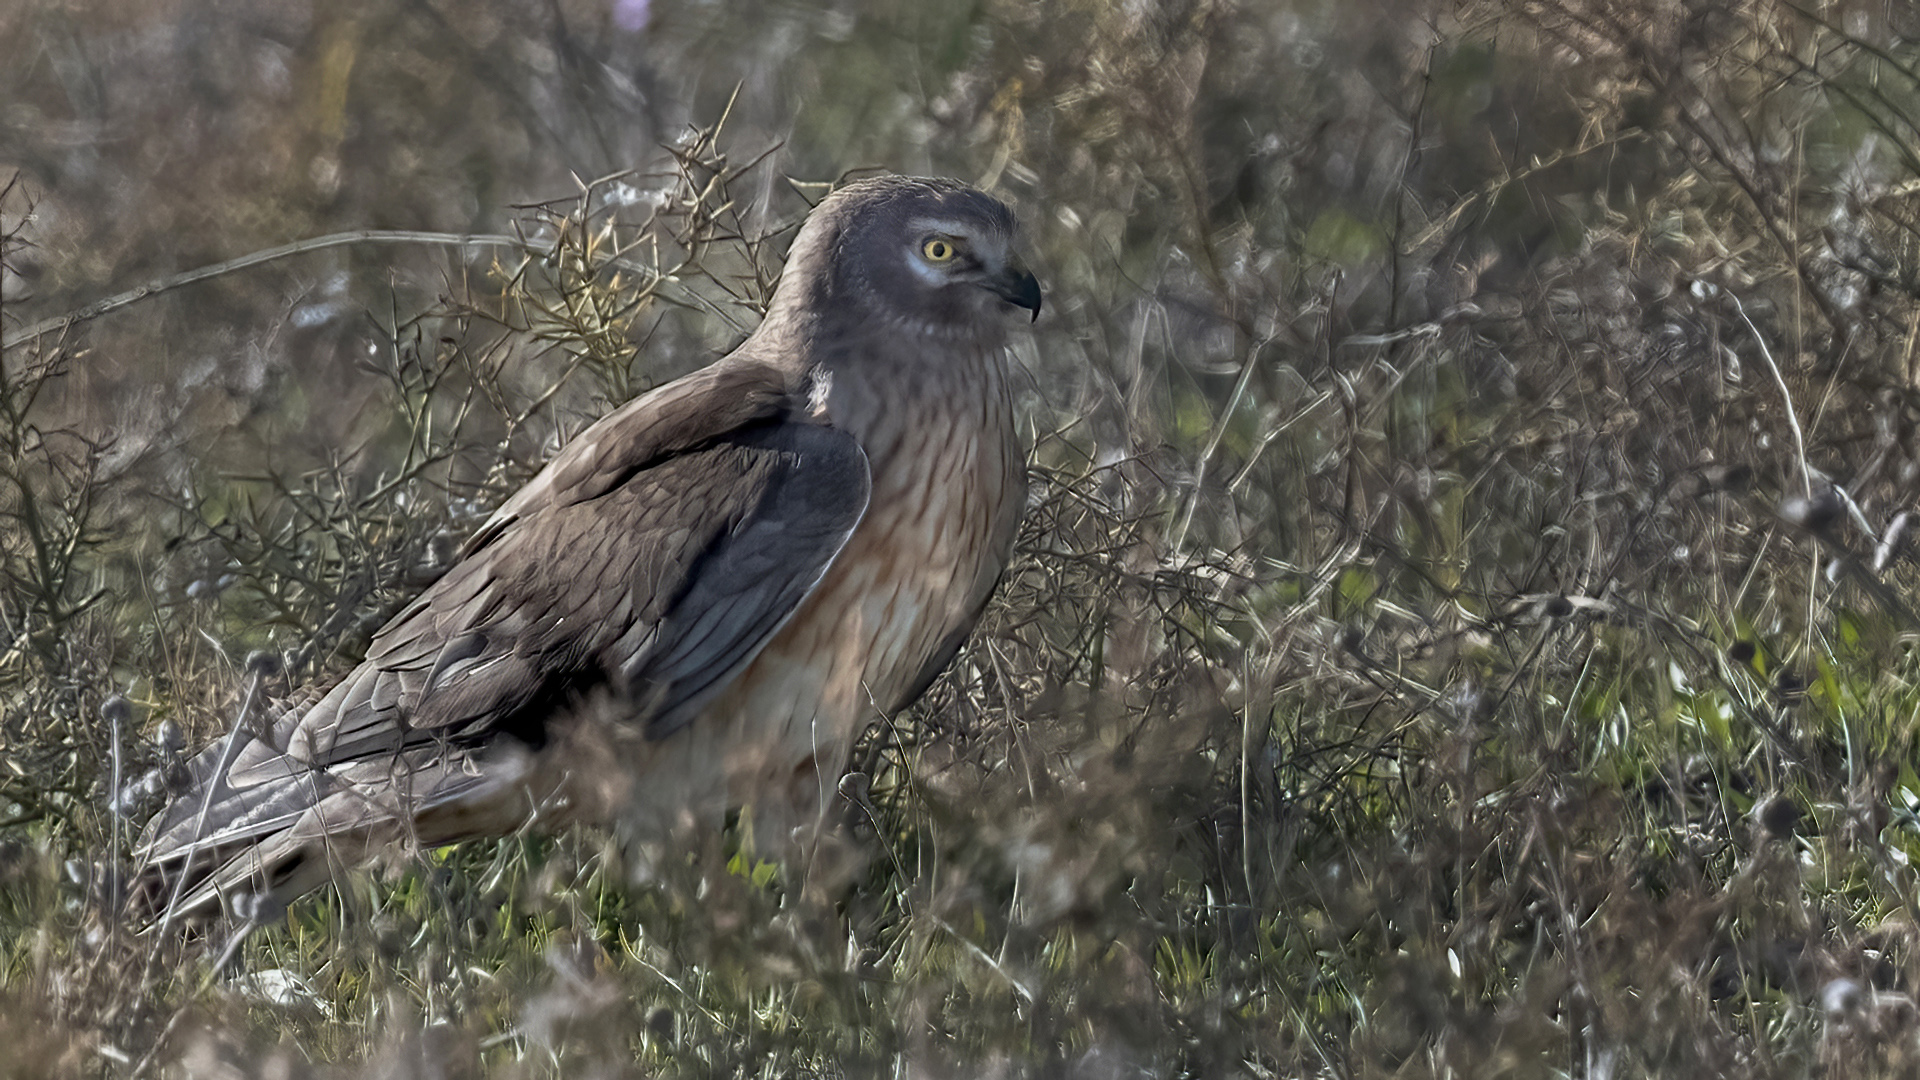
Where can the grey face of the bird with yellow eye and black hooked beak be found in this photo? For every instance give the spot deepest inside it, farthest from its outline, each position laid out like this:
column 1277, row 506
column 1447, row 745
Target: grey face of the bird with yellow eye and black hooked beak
column 934, row 257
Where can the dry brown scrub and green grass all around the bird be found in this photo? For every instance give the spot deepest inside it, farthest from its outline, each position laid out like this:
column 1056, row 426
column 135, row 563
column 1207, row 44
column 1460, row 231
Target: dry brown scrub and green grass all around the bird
column 1466, row 627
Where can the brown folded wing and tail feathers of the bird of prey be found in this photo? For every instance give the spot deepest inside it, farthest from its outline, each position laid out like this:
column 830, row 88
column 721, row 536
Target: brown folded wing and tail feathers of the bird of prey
column 656, row 556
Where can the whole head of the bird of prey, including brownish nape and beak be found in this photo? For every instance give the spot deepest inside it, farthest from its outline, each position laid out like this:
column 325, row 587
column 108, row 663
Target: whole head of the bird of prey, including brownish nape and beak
column 913, row 255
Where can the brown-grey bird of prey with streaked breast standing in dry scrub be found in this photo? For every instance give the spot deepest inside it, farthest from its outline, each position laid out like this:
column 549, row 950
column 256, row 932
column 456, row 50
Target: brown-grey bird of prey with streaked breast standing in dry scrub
column 696, row 606
